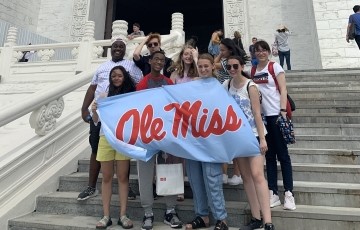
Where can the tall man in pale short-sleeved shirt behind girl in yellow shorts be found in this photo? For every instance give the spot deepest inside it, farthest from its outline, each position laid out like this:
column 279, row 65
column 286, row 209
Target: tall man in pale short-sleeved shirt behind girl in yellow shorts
column 99, row 85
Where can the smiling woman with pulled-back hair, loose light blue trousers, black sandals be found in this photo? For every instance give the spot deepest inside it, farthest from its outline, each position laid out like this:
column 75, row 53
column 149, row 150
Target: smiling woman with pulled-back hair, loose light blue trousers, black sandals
column 206, row 178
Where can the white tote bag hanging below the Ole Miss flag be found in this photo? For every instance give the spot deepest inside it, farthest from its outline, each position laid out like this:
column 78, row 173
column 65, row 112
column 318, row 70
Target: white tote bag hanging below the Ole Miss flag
column 169, row 179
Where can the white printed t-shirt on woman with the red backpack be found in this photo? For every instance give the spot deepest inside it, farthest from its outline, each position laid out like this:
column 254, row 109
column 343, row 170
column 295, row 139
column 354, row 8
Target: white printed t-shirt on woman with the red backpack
column 270, row 95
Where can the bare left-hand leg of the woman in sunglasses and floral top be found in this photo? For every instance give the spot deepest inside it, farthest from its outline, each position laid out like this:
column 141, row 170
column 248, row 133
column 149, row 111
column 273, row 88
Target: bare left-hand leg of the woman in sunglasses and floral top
column 249, row 187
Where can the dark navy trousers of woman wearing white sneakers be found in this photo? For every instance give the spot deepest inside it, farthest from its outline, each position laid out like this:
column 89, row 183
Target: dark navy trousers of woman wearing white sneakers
column 277, row 148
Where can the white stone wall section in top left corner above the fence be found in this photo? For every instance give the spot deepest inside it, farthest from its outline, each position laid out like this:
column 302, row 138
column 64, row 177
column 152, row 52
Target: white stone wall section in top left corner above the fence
column 20, row 13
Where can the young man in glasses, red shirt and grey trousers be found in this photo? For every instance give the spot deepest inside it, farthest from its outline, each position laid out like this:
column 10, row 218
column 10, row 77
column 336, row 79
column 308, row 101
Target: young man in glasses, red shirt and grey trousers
column 146, row 169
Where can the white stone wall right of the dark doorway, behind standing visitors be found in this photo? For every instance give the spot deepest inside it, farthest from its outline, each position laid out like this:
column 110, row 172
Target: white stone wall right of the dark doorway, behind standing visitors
column 264, row 17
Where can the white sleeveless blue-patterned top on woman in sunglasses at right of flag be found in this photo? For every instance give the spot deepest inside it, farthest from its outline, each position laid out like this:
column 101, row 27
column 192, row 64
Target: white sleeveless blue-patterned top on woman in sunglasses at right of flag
column 242, row 98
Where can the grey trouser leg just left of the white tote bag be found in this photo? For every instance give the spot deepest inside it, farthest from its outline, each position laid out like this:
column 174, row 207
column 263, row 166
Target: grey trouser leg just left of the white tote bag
column 146, row 176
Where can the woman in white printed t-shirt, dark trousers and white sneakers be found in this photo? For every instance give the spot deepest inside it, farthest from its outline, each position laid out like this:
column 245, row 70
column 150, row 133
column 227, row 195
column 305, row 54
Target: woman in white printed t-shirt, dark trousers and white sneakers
column 274, row 102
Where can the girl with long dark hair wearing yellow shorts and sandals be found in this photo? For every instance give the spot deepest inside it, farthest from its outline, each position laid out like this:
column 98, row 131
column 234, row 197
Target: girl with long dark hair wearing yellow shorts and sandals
column 120, row 82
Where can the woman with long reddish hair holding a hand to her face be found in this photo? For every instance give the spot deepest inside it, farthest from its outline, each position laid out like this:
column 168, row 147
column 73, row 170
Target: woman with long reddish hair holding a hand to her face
column 185, row 70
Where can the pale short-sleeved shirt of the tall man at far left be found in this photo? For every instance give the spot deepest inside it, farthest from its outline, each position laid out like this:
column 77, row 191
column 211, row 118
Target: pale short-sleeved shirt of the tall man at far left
column 101, row 77
